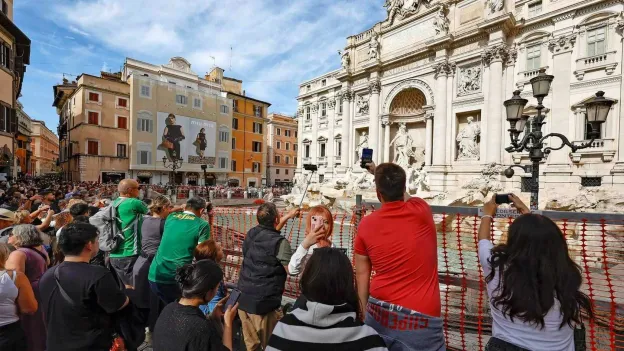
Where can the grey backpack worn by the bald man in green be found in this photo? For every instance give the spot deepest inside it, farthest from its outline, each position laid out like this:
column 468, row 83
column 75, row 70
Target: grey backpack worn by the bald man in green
column 109, row 226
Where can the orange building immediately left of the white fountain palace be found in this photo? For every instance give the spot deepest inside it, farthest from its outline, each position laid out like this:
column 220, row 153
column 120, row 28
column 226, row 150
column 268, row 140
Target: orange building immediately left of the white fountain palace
column 282, row 133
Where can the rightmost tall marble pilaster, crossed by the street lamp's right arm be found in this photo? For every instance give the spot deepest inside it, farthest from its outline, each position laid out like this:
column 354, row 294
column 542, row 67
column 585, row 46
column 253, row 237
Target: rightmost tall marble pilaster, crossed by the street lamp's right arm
column 561, row 48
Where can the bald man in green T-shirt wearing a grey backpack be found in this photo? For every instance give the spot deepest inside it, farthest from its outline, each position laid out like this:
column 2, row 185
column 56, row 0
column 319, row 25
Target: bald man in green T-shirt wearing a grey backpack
column 130, row 211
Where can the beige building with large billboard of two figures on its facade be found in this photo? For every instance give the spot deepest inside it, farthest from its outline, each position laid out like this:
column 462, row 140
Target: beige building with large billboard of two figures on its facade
column 177, row 115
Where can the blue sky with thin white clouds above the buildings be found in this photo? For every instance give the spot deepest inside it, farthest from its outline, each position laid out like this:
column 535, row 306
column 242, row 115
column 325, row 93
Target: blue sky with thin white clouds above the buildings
column 276, row 44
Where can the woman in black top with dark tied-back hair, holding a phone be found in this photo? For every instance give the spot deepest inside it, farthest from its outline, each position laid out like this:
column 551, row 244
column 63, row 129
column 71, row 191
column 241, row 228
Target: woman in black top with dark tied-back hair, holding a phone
column 182, row 326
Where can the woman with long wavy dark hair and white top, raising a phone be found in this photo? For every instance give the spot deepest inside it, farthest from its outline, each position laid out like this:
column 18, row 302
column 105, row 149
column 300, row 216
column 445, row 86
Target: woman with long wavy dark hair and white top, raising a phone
column 532, row 283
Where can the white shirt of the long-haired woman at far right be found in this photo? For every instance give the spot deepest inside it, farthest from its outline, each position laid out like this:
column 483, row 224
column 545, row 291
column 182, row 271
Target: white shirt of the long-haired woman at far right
column 519, row 333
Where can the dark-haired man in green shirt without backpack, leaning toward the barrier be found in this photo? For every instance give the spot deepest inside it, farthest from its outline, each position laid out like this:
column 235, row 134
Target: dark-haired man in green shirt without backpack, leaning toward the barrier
column 183, row 231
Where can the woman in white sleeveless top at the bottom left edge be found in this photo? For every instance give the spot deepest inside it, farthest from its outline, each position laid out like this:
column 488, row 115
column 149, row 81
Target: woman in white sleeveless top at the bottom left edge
column 16, row 297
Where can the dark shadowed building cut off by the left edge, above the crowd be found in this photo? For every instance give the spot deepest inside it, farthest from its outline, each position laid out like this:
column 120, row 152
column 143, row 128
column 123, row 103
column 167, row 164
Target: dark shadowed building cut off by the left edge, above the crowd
column 14, row 56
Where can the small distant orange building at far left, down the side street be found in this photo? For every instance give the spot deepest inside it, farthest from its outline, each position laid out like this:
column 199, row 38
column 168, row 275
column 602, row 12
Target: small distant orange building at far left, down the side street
column 45, row 146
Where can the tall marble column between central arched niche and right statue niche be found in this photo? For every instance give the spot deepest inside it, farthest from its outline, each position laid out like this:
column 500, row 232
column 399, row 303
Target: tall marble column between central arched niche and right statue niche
column 439, row 126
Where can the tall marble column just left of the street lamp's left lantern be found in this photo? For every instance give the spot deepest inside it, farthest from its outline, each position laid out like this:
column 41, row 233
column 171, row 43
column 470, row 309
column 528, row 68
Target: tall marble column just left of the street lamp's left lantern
column 494, row 57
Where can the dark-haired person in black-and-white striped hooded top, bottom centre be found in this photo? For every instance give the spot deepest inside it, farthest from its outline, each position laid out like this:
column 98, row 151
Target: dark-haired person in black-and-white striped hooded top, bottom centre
column 327, row 315
